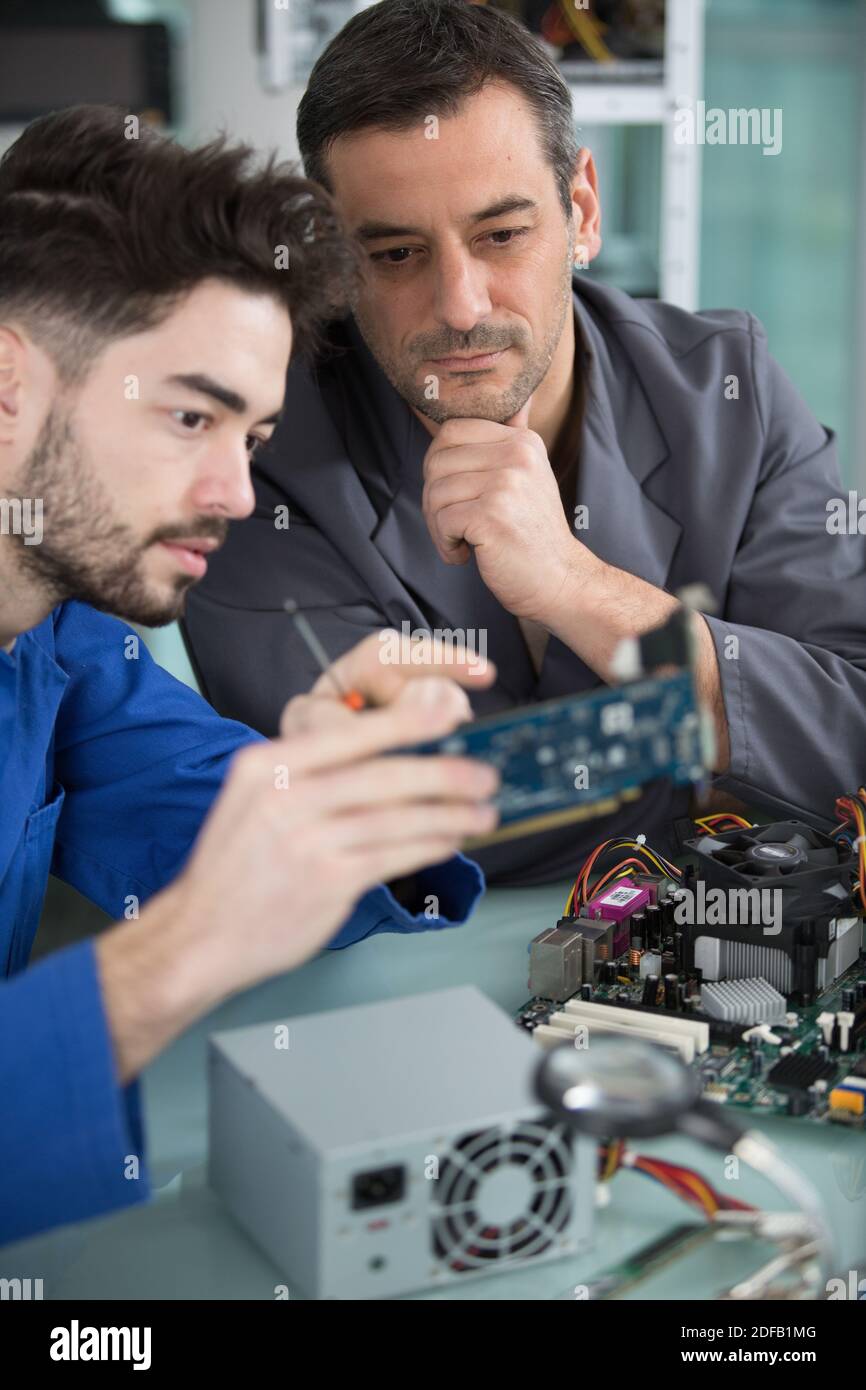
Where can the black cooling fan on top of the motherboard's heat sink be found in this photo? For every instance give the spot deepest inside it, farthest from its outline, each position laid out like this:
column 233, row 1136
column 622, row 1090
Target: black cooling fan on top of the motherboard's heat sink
column 786, row 856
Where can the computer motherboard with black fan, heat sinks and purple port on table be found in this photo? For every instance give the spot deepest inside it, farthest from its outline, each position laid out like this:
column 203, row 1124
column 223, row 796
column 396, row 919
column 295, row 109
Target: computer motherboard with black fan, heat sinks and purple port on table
column 769, row 1011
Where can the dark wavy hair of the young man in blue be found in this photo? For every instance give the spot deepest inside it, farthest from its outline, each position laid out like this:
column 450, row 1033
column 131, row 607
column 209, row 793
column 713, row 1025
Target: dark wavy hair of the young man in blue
column 101, row 236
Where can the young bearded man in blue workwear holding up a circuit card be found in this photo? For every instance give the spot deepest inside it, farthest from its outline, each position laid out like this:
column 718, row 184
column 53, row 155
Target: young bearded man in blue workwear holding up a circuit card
column 147, row 322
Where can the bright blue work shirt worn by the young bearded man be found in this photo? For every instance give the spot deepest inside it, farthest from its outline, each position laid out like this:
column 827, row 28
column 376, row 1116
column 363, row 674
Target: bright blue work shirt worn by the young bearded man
column 108, row 769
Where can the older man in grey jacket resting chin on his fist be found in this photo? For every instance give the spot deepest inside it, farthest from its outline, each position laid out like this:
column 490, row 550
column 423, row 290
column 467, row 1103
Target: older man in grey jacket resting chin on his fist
column 497, row 445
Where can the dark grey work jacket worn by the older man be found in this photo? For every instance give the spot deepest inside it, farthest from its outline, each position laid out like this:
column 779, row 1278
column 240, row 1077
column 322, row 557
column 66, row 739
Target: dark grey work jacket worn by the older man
column 698, row 462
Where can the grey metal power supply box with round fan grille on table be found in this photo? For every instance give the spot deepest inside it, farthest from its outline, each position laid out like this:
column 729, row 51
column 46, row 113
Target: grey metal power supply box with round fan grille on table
column 394, row 1147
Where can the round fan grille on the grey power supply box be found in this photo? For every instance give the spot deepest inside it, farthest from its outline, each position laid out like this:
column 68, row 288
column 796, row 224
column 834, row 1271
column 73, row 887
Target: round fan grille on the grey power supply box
column 503, row 1195
